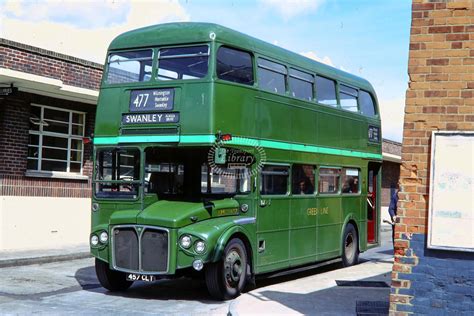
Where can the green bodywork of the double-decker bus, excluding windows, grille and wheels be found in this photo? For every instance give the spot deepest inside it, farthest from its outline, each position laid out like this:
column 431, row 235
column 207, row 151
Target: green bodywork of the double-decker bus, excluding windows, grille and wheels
column 279, row 231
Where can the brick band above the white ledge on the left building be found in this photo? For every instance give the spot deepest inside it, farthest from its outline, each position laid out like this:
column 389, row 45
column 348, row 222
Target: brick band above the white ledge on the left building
column 33, row 60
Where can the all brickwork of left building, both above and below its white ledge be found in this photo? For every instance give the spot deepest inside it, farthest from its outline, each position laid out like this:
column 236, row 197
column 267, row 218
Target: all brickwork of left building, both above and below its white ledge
column 15, row 114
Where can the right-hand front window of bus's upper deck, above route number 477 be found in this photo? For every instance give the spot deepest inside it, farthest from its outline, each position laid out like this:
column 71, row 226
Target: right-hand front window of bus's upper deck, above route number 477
column 181, row 63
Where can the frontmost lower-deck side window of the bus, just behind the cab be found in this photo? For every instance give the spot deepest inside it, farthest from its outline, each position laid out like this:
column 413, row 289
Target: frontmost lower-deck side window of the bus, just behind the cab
column 274, row 180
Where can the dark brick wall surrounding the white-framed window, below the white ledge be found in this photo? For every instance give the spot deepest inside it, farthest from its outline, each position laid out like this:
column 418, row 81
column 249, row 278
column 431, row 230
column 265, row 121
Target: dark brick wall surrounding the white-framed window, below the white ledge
column 14, row 137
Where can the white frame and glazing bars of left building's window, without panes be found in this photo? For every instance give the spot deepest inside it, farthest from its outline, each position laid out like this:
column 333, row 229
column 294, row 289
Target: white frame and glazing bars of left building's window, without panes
column 69, row 137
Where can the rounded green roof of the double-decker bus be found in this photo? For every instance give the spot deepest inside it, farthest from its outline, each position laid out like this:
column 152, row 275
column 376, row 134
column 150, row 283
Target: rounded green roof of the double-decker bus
column 193, row 32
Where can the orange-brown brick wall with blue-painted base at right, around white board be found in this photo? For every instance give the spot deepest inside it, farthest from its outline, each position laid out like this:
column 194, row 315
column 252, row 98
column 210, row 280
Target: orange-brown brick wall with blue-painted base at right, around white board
column 440, row 97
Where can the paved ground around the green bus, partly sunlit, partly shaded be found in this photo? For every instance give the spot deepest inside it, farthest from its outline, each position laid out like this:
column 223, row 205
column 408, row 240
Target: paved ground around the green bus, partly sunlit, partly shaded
column 71, row 287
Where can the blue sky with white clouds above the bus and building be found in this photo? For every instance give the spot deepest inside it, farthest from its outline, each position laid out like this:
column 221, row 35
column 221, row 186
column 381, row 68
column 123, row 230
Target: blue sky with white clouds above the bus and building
column 368, row 38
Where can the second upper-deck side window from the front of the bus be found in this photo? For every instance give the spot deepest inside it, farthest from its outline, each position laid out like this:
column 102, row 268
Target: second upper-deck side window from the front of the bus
column 271, row 76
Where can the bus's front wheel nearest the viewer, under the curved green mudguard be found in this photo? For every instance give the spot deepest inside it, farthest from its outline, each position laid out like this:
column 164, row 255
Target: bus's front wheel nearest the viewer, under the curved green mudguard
column 226, row 278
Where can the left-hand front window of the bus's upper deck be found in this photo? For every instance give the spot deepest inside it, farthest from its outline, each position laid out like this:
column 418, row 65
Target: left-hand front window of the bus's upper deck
column 132, row 66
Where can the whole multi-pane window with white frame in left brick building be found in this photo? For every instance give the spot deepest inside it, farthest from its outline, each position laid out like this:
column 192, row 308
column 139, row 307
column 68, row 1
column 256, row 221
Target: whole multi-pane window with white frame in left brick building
column 56, row 139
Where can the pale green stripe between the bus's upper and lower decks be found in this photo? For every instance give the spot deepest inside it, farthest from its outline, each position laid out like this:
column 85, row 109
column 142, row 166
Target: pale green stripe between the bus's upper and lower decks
column 209, row 139
